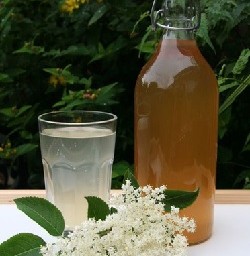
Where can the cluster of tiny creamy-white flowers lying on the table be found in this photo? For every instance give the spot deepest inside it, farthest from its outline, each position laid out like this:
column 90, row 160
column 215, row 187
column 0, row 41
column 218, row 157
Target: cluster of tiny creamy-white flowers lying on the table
column 140, row 227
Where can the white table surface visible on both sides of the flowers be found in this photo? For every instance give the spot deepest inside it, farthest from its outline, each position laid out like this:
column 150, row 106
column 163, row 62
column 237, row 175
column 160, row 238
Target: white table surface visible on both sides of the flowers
column 231, row 236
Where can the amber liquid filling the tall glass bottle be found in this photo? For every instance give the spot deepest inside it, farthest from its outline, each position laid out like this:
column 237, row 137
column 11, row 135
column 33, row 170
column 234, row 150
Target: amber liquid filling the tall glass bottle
column 176, row 104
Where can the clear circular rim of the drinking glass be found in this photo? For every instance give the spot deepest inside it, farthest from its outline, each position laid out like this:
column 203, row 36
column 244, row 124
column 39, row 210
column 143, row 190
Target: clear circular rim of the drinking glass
column 112, row 118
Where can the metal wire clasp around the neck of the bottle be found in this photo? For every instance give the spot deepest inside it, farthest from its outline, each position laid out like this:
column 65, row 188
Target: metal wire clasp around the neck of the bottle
column 162, row 18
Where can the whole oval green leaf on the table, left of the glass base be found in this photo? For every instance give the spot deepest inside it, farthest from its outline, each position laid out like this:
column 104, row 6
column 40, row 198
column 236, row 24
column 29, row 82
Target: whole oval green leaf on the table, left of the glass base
column 43, row 212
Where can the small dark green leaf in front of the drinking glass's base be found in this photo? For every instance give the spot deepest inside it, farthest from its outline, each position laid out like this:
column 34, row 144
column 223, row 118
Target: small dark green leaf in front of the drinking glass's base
column 98, row 209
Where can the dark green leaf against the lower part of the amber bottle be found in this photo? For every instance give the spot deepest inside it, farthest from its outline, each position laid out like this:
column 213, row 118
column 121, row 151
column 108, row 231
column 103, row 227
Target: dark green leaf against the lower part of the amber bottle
column 179, row 199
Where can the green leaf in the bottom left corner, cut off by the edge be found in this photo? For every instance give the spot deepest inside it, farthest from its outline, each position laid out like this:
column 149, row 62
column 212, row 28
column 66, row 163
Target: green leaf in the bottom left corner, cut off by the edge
column 23, row 244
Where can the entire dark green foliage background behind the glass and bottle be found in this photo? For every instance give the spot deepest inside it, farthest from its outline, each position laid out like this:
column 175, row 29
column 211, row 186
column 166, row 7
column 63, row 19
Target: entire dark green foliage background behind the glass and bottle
column 90, row 58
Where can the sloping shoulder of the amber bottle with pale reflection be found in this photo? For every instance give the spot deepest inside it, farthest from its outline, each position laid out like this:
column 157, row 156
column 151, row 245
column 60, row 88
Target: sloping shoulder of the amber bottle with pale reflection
column 172, row 59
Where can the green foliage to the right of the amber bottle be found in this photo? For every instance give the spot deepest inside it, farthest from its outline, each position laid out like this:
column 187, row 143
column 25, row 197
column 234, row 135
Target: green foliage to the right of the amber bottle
column 225, row 30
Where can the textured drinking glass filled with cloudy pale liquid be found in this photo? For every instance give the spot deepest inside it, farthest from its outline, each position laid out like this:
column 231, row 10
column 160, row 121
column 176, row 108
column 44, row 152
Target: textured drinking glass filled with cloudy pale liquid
column 77, row 154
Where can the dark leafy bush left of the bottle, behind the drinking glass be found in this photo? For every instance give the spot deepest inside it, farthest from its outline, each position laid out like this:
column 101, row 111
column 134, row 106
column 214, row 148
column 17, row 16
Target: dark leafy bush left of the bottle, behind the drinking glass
column 56, row 57
